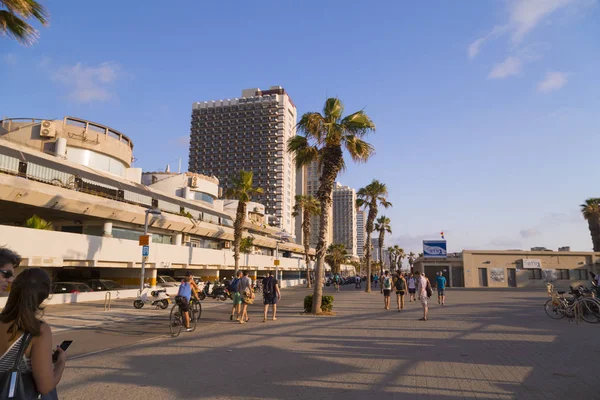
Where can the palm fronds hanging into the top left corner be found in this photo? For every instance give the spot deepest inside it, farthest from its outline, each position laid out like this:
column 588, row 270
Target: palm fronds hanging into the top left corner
column 13, row 16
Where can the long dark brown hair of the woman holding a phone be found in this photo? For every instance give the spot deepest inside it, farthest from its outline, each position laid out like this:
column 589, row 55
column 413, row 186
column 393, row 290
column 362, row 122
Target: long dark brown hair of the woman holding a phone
column 23, row 307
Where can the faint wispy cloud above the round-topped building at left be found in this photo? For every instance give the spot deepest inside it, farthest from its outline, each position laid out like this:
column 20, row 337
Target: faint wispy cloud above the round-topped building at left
column 86, row 84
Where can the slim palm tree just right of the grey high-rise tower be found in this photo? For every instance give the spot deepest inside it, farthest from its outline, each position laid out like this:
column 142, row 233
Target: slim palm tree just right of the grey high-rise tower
column 371, row 196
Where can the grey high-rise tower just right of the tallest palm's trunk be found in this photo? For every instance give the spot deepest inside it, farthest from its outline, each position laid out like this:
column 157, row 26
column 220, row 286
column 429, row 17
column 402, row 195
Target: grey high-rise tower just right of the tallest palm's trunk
column 344, row 218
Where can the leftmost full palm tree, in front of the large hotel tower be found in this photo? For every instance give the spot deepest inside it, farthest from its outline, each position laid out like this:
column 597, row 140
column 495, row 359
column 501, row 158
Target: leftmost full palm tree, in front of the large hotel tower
column 242, row 191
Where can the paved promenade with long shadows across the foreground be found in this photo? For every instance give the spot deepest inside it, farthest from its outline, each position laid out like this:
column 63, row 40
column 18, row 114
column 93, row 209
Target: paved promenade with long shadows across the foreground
column 485, row 344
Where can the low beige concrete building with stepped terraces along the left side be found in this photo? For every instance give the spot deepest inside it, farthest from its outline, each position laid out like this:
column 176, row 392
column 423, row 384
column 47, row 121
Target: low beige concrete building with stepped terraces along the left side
column 98, row 213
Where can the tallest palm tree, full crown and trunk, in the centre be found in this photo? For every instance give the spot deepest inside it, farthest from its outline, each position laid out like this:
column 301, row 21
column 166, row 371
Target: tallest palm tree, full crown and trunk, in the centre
column 322, row 138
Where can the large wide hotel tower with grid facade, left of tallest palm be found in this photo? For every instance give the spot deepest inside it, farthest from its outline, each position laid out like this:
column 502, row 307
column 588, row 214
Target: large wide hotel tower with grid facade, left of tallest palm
column 249, row 133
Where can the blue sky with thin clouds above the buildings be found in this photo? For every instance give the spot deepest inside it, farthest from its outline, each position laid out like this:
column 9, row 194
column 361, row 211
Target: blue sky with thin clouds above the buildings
column 486, row 111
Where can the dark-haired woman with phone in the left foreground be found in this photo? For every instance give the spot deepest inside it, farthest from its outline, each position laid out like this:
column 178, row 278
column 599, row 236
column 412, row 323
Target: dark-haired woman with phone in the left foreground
column 21, row 316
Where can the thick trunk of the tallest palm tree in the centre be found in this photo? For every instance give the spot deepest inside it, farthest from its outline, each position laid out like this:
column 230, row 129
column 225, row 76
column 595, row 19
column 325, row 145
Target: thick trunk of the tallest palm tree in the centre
column 331, row 166
